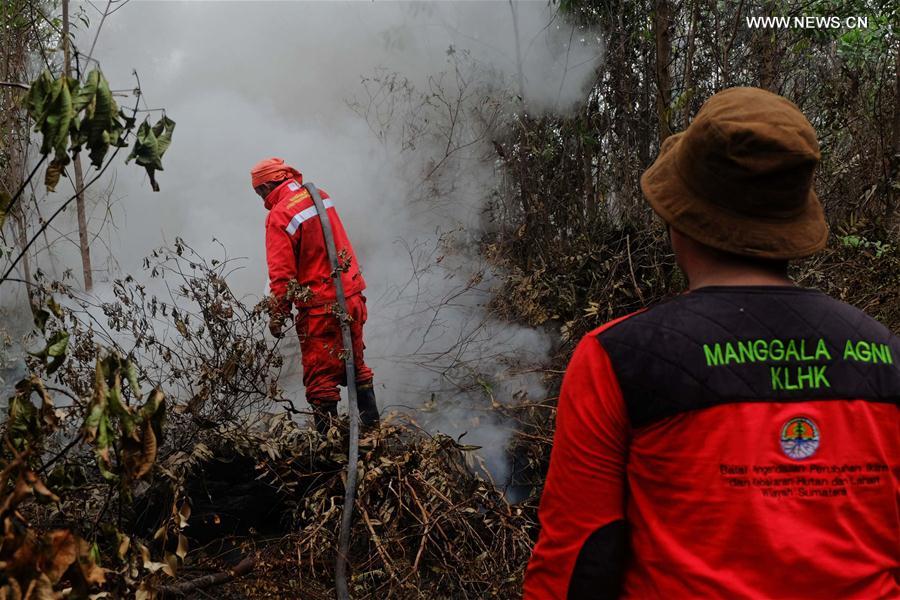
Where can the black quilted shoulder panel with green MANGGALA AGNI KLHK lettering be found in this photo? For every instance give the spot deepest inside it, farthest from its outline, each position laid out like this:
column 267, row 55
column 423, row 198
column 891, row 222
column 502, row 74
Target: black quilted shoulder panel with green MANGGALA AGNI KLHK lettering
column 727, row 344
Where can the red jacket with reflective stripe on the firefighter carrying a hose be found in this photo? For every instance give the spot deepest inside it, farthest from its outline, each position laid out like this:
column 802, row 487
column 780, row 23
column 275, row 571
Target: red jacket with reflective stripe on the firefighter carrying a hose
column 295, row 247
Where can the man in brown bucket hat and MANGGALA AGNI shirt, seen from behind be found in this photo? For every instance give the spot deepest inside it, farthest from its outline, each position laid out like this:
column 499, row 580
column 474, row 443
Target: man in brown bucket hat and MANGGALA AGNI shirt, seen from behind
column 740, row 440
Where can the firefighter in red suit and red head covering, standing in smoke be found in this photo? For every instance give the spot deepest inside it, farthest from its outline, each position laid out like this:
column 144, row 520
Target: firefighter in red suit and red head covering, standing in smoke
column 300, row 276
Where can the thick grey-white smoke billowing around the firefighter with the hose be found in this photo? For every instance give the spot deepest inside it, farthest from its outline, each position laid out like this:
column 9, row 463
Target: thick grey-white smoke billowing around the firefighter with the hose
column 389, row 107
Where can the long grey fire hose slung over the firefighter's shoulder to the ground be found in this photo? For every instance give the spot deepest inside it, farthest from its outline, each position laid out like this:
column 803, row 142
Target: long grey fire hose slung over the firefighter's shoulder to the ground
column 340, row 567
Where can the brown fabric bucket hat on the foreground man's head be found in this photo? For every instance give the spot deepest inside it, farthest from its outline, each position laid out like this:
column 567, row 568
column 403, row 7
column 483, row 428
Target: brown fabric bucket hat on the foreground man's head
column 739, row 178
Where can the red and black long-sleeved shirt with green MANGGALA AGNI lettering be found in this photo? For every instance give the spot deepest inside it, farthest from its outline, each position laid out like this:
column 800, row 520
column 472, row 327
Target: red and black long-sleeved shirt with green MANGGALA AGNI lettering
column 734, row 442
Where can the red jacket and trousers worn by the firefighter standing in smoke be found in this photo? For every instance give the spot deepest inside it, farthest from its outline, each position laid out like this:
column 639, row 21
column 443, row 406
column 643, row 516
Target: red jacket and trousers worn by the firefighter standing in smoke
column 295, row 250
